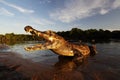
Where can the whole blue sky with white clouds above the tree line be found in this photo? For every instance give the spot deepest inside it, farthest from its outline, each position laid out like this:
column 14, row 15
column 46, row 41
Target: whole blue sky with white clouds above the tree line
column 58, row 15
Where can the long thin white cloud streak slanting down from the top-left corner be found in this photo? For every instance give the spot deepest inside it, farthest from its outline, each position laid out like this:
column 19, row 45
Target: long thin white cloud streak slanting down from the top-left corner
column 20, row 9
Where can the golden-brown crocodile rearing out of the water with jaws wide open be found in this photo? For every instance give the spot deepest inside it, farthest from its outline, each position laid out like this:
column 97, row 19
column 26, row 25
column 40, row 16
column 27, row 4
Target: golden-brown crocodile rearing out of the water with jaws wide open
column 58, row 44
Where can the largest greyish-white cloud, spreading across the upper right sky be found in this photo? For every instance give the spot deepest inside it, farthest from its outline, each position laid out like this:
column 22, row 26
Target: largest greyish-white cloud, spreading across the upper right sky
column 79, row 9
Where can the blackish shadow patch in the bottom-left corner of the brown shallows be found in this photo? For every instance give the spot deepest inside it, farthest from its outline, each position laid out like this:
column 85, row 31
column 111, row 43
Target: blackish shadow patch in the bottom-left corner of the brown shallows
column 7, row 73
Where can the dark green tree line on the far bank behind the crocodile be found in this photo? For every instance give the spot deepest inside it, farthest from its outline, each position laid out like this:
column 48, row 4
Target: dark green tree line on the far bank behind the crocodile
column 73, row 34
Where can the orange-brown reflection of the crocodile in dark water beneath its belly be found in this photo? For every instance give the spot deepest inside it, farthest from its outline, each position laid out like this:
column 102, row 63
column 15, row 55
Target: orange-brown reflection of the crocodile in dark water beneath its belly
column 67, row 64
